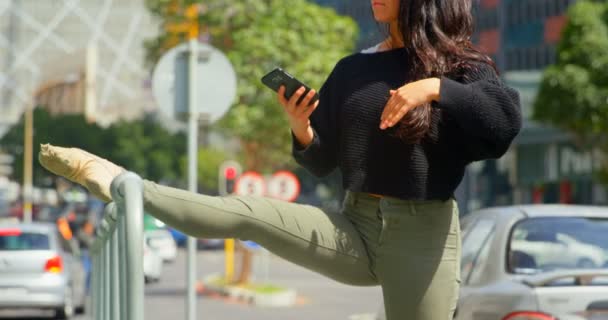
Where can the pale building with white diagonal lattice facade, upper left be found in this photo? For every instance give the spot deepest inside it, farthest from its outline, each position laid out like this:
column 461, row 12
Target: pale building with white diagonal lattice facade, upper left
column 48, row 48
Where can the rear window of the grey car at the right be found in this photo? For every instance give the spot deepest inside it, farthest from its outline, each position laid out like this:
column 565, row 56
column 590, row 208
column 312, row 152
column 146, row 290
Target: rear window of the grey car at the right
column 550, row 243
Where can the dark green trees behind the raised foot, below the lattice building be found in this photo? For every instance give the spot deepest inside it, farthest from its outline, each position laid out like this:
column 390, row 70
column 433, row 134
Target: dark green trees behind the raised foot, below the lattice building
column 142, row 146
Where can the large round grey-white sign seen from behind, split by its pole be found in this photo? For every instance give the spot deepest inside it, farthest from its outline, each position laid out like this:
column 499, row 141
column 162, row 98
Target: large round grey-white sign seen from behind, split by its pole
column 216, row 85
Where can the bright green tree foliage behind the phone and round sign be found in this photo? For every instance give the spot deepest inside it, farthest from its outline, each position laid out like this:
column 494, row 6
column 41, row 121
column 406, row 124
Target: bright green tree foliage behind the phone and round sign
column 258, row 35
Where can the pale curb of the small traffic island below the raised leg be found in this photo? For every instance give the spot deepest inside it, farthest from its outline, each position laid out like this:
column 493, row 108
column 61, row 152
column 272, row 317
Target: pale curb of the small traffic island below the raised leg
column 283, row 298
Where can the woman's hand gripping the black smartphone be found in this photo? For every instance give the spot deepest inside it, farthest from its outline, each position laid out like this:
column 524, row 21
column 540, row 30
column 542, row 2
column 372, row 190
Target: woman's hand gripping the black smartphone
column 299, row 114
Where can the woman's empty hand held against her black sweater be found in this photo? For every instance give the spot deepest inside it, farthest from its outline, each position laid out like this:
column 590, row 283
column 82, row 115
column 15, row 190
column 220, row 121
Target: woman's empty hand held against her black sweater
column 407, row 98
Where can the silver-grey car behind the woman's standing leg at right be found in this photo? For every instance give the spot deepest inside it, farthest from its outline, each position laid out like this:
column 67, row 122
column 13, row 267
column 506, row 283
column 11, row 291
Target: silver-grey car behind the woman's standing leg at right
column 536, row 262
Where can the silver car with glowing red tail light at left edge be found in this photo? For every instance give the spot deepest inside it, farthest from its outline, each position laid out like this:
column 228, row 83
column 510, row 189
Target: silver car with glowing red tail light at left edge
column 39, row 269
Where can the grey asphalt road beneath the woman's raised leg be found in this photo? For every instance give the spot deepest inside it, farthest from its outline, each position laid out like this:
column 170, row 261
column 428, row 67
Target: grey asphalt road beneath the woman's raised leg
column 319, row 297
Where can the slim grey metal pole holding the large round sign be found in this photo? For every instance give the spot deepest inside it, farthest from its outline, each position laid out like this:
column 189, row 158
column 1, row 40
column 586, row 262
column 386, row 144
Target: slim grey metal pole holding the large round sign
column 192, row 174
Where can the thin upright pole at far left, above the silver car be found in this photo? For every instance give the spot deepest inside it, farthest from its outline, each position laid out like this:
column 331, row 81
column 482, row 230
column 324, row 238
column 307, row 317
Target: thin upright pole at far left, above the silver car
column 27, row 164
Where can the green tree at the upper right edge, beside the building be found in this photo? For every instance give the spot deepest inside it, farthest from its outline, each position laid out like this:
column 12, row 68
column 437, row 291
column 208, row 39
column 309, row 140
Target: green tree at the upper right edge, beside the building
column 573, row 93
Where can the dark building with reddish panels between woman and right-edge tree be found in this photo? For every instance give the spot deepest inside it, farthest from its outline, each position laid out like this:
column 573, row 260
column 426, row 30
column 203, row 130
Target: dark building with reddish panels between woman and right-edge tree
column 544, row 164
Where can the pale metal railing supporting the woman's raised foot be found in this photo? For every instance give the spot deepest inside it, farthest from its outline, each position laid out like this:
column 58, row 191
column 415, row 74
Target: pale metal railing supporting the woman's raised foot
column 117, row 253
